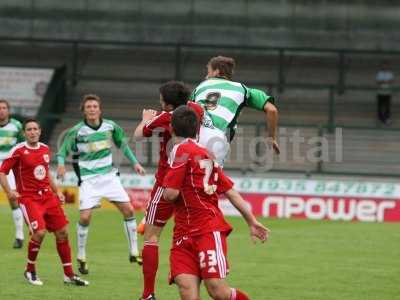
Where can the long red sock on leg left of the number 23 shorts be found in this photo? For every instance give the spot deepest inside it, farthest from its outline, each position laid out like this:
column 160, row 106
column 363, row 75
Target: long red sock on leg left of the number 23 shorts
column 150, row 266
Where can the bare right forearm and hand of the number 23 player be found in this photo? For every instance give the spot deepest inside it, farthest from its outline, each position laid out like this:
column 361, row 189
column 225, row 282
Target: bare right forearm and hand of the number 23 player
column 257, row 230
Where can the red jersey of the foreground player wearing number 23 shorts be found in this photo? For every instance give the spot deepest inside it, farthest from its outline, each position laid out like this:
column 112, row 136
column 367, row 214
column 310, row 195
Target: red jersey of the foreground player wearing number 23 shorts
column 199, row 181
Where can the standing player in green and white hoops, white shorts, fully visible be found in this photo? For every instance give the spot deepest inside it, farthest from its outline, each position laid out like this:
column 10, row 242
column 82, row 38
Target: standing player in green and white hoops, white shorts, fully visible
column 90, row 141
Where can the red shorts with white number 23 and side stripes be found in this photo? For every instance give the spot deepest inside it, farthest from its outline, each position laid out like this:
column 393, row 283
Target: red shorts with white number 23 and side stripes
column 203, row 256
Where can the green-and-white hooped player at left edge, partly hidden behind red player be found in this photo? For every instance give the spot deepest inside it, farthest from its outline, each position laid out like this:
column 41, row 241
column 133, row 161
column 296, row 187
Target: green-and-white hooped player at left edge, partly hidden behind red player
column 10, row 135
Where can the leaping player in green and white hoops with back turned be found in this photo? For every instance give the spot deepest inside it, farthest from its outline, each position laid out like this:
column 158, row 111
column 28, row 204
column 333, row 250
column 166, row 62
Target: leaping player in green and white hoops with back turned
column 223, row 100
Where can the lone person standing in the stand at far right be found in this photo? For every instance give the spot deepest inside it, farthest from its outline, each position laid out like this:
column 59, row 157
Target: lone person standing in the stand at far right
column 384, row 79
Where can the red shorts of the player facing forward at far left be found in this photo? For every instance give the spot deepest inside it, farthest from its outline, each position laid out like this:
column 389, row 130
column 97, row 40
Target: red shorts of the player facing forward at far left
column 43, row 213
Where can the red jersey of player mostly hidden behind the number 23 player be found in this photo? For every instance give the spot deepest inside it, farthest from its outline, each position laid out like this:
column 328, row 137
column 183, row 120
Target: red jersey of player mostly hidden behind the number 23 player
column 161, row 124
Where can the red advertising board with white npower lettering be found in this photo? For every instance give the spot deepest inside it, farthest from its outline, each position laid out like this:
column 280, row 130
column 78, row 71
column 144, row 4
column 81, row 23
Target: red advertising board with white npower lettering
column 322, row 207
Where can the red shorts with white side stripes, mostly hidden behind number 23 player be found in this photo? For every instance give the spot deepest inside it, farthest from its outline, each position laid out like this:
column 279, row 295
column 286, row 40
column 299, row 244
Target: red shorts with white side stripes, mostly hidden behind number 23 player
column 159, row 210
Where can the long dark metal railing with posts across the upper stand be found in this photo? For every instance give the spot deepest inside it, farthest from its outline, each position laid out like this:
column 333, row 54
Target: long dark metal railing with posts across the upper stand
column 282, row 53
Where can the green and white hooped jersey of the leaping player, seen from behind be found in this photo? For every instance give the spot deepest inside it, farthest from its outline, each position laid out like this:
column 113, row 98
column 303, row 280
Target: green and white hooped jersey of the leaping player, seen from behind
column 223, row 101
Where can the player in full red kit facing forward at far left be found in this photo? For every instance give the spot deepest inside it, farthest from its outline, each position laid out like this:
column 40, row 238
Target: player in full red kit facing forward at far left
column 39, row 199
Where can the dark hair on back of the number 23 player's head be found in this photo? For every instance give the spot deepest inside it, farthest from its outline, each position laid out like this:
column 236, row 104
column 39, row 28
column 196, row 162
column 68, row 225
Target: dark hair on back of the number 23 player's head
column 185, row 122
